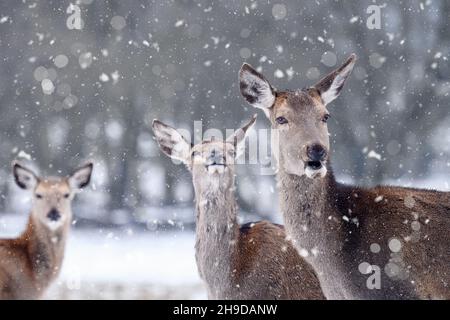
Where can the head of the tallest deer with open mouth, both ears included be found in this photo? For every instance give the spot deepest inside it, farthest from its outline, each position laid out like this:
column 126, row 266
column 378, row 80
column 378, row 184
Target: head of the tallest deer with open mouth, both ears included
column 300, row 117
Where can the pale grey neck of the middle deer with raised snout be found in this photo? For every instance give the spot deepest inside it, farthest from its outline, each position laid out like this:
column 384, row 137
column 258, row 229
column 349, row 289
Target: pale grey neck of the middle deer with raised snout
column 217, row 233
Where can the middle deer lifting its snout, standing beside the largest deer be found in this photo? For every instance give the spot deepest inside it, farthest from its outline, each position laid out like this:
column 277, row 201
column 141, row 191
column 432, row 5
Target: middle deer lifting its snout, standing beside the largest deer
column 254, row 261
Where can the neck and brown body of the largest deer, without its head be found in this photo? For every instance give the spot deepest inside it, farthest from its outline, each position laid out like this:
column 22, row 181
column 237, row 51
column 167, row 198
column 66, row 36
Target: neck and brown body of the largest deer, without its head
column 342, row 222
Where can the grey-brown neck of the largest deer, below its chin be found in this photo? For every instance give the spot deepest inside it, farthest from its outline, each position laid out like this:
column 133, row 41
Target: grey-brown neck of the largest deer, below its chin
column 312, row 219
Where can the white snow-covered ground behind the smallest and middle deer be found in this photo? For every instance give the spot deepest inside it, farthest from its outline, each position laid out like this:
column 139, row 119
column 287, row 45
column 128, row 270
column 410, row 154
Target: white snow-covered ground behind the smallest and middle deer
column 111, row 264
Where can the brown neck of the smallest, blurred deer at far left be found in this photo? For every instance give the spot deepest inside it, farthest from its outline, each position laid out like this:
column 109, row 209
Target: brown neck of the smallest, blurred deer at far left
column 45, row 250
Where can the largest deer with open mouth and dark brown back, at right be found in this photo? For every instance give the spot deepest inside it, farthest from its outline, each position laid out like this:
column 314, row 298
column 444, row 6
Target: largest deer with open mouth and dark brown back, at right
column 378, row 243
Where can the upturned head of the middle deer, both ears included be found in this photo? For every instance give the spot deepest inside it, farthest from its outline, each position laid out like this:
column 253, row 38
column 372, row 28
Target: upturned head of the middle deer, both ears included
column 211, row 161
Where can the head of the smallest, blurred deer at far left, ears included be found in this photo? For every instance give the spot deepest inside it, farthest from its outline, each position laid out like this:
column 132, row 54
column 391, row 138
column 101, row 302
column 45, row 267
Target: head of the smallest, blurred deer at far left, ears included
column 52, row 196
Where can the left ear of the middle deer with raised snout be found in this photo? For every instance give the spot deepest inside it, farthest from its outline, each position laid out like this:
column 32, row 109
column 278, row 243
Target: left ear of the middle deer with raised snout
column 171, row 142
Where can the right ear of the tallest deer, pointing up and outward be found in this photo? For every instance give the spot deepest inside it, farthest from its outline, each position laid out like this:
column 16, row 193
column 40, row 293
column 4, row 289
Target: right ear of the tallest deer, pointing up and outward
column 330, row 86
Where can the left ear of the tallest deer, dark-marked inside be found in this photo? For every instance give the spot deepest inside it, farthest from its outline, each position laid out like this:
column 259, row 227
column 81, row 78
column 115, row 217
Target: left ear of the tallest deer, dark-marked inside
column 255, row 88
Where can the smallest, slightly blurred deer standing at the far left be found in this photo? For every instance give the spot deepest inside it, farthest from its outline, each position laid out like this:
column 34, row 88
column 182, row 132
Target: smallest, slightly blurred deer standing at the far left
column 31, row 262
